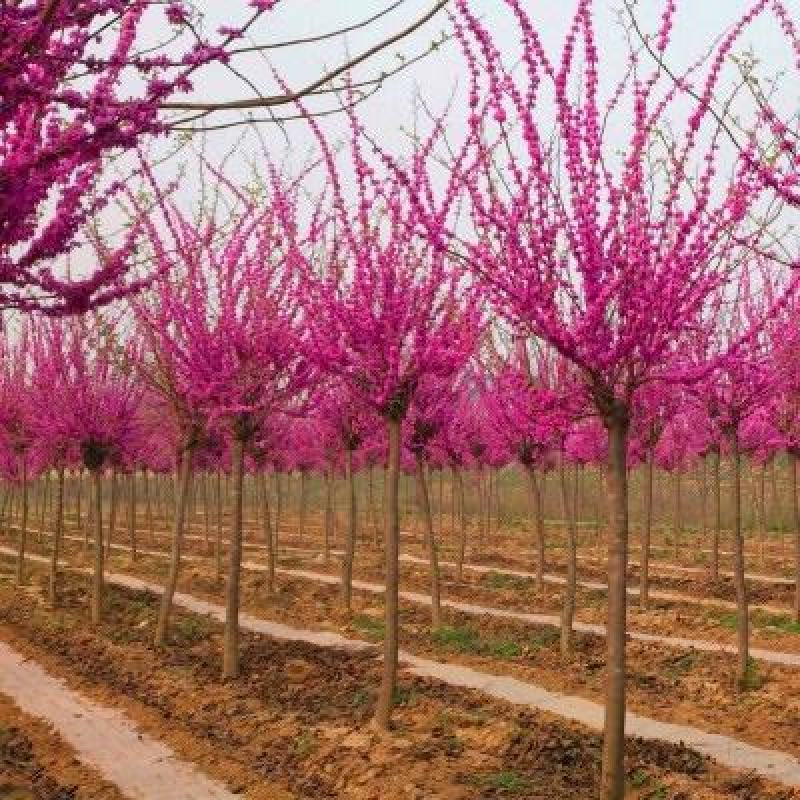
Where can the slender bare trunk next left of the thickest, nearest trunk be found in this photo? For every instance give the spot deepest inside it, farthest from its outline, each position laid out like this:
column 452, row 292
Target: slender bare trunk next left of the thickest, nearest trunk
column 383, row 708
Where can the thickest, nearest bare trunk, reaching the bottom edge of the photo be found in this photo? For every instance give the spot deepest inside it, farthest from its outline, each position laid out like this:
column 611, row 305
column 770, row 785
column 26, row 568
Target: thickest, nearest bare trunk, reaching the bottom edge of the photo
column 613, row 774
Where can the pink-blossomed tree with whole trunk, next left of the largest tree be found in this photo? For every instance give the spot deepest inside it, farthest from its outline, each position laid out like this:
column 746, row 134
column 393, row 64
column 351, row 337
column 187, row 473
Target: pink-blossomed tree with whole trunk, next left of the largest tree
column 387, row 314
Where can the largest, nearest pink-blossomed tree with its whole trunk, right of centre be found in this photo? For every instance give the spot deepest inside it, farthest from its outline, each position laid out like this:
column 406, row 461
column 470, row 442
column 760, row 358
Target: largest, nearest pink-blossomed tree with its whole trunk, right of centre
column 591, row 249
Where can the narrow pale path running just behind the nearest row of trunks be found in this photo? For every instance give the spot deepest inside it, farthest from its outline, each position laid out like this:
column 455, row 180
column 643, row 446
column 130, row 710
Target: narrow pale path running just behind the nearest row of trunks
column 728, row 751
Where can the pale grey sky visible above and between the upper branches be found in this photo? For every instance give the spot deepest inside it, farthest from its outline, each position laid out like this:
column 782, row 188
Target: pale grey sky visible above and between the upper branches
column 698, row 23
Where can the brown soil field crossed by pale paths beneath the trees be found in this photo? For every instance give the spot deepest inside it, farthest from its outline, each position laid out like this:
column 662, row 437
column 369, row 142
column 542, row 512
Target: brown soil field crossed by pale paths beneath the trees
column 486, row 706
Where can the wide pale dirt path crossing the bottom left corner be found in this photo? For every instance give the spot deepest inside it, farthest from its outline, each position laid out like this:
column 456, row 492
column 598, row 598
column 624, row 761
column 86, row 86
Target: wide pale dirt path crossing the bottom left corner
column 103, row 738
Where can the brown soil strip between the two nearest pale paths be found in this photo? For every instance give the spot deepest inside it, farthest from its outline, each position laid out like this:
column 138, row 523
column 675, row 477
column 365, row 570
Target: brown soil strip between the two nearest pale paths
column 298, row 716
